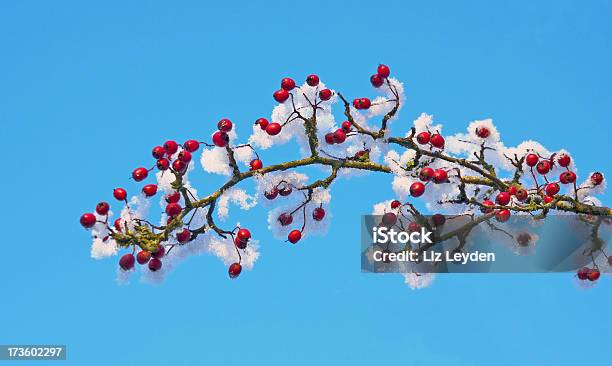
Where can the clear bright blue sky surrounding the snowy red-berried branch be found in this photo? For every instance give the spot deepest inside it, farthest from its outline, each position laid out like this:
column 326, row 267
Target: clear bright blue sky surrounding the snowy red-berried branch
column 87, row 89
